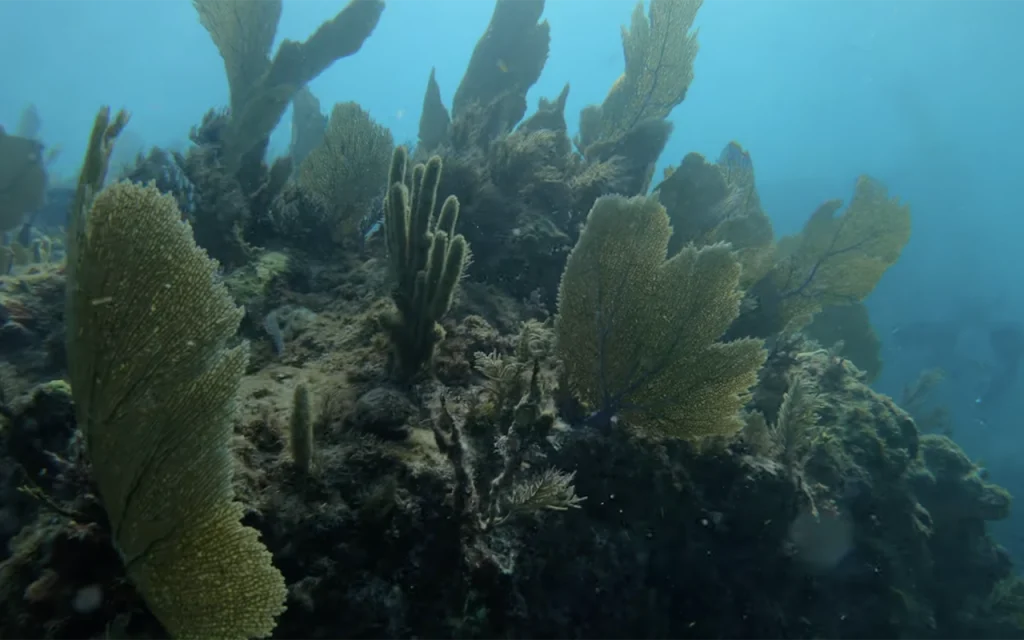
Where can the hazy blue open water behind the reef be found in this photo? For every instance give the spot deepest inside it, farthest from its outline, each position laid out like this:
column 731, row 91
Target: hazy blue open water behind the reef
column 927, row 96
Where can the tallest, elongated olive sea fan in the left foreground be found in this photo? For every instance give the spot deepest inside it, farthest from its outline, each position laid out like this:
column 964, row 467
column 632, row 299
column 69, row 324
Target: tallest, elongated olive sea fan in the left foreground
column 154, row 385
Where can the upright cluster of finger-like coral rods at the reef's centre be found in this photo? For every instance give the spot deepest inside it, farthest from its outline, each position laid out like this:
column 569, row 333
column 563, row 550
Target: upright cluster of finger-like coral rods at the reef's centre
column 426, row 260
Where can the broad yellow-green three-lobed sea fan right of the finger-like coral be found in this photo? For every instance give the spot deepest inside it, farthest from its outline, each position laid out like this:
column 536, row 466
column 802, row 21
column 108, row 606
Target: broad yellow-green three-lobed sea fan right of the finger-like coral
column 638, row 334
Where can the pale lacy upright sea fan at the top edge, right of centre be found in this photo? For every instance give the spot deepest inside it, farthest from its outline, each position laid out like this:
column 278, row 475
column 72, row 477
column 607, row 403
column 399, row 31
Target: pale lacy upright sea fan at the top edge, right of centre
column 660, row 51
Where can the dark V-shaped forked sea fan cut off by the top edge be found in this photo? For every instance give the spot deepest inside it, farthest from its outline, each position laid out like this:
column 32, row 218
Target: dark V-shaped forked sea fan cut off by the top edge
column 262, row 89
